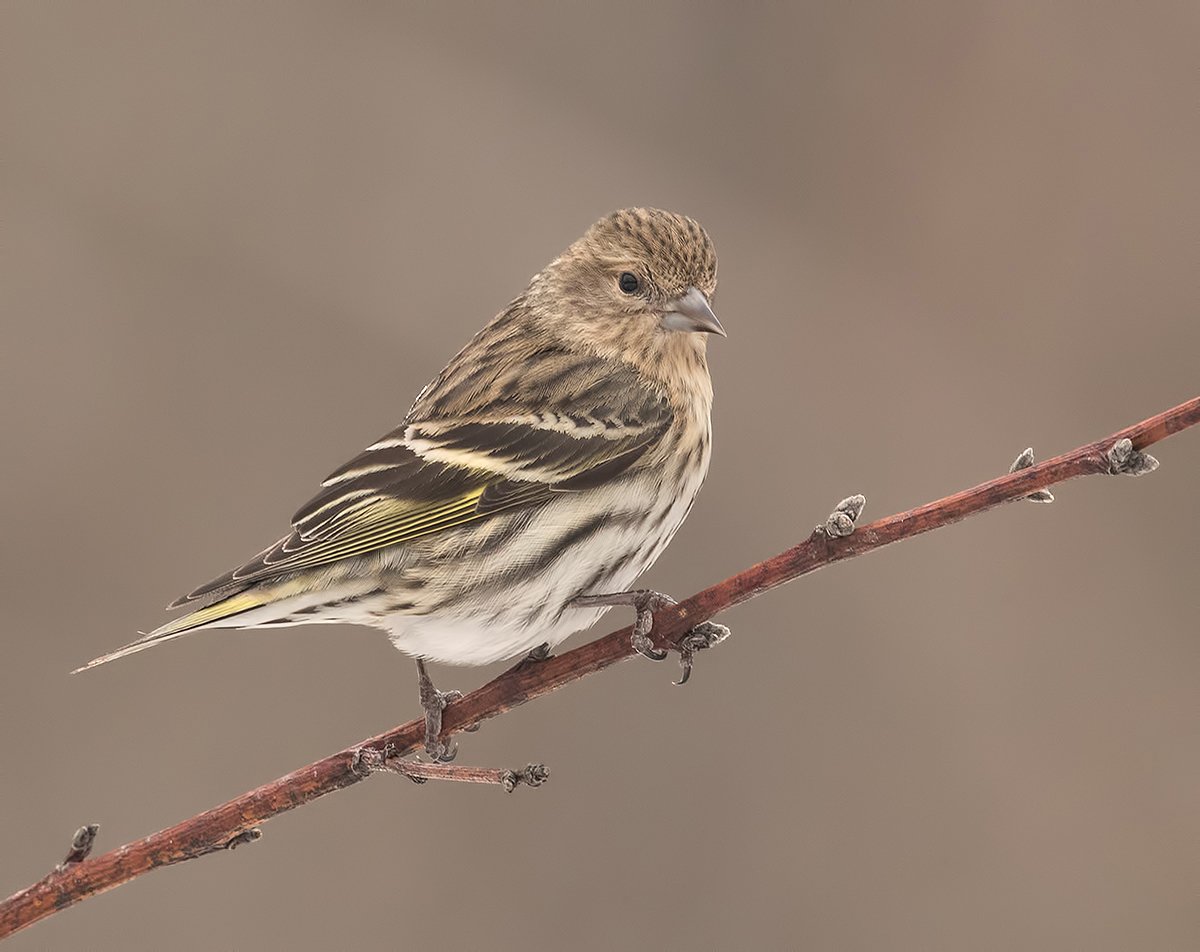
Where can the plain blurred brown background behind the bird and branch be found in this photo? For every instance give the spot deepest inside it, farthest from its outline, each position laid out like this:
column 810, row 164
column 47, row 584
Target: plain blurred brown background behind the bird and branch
column 239, row 238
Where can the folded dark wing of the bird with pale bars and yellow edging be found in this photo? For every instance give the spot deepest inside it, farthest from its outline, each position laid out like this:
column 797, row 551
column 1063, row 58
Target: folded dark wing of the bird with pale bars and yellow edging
column 434, row 475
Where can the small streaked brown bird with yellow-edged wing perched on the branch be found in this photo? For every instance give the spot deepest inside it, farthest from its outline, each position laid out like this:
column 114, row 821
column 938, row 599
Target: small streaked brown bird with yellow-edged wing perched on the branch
column 532, row 482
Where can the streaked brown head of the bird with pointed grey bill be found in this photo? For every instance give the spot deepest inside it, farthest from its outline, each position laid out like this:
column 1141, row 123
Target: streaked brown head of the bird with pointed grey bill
column 640, row 279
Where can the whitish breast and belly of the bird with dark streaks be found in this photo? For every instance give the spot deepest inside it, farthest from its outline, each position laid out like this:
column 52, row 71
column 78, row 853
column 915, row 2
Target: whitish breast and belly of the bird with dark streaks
column 497, row 594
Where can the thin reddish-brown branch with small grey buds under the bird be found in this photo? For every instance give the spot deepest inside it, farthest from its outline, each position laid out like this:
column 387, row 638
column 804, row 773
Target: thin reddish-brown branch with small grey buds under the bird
column 235, row 823
